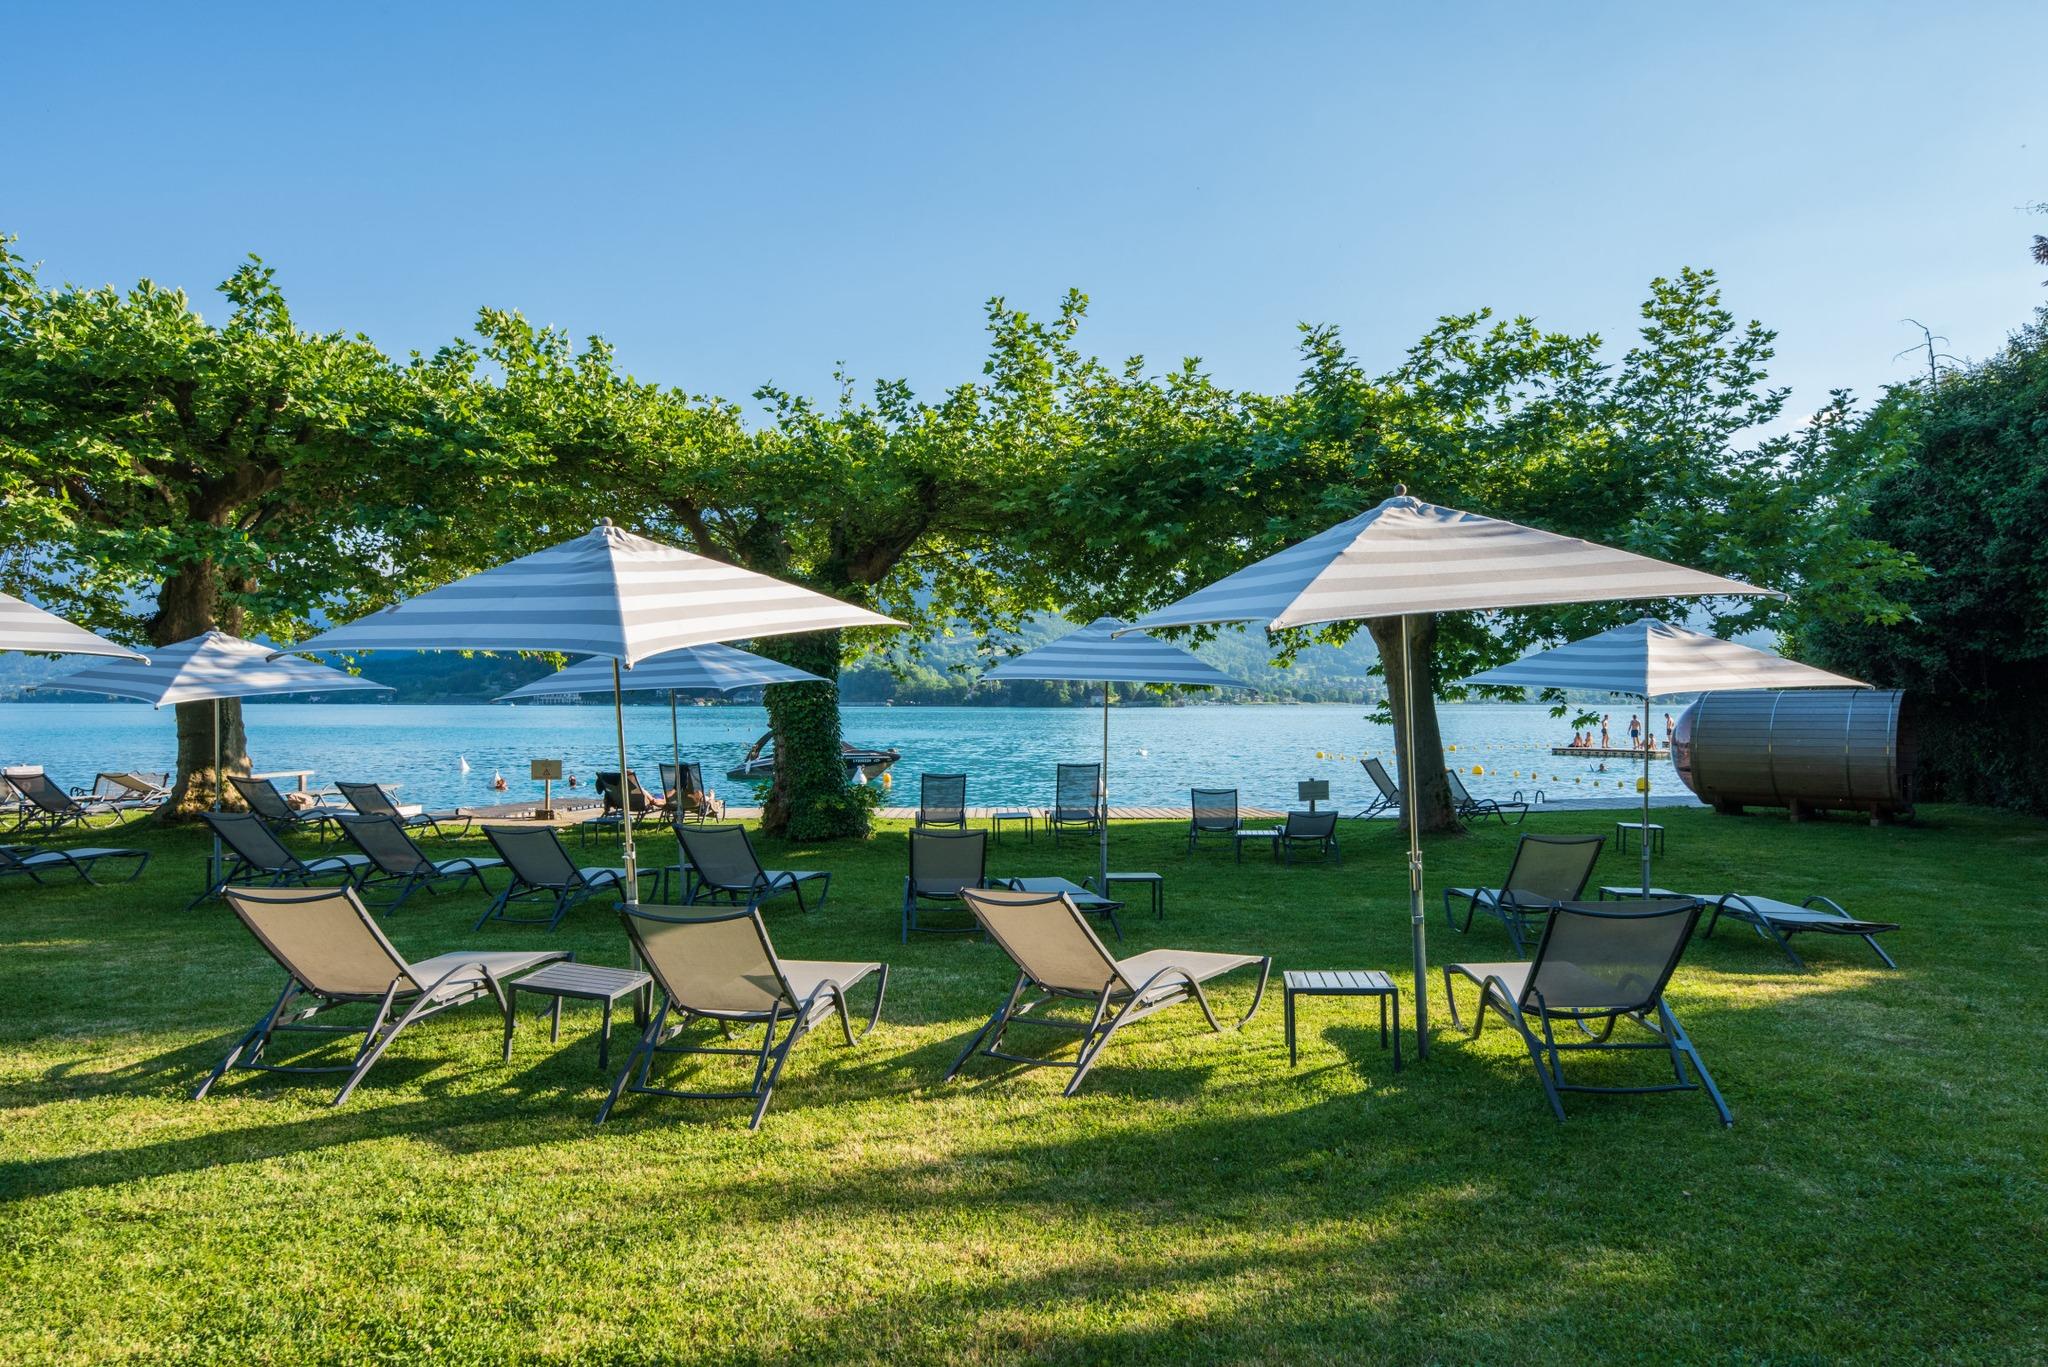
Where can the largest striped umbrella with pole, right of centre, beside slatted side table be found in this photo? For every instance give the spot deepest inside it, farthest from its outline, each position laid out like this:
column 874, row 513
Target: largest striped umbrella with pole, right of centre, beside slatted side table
column 1408, row 558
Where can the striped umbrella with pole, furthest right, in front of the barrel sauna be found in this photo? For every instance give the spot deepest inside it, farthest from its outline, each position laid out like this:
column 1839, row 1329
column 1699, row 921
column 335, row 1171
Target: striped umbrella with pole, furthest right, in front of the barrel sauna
column 1654, row 659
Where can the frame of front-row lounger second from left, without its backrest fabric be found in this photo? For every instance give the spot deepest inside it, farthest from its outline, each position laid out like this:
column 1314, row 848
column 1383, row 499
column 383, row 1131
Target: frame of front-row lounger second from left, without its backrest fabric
column 790, row 1016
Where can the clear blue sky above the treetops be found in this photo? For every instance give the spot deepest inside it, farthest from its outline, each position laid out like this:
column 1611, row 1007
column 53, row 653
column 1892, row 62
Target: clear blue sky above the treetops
column 757, row 192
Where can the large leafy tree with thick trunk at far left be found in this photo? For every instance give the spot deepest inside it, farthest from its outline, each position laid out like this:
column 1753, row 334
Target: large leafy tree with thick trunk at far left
column 163, row 474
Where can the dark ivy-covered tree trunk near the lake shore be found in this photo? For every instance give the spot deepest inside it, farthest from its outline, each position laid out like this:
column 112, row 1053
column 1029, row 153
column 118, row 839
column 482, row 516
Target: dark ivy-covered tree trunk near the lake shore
column 810, row 798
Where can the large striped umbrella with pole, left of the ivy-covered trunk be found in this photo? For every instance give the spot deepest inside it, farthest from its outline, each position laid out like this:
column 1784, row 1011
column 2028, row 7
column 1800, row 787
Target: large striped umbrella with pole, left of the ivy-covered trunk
column 609, row 595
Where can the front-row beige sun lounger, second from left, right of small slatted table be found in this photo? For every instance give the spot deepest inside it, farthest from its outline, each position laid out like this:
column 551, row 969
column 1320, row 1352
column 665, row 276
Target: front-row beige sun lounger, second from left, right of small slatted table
column 724, row 970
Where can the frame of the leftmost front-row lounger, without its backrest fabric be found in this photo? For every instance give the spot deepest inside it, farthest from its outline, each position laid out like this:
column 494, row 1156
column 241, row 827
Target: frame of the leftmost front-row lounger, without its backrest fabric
column 456, row 981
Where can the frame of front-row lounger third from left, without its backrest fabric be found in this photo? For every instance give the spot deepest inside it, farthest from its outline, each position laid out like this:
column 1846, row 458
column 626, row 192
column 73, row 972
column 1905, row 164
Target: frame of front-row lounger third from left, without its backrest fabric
column 1111, row 1007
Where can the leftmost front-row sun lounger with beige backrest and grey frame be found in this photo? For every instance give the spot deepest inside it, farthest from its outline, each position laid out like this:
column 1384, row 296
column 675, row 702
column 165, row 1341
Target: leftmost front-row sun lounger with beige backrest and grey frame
column 335, row 956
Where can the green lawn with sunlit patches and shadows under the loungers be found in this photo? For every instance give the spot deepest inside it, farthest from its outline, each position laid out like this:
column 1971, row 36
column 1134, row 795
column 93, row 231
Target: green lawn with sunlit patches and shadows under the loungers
column 1881, row 1194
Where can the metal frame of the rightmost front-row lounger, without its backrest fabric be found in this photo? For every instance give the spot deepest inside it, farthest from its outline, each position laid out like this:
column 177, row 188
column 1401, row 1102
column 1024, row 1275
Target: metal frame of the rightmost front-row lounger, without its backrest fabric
column 1525, row 1009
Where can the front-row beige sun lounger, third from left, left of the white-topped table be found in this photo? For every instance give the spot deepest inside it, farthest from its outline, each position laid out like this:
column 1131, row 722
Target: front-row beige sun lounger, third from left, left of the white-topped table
column 1060, row 960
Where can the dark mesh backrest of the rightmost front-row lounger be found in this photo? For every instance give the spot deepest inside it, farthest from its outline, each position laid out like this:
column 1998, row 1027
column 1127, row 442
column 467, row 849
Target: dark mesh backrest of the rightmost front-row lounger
column 1594, row 958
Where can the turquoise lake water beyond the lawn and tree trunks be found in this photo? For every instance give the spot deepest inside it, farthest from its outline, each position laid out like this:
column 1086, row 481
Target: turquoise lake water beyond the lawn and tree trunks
column 1009, row 753
